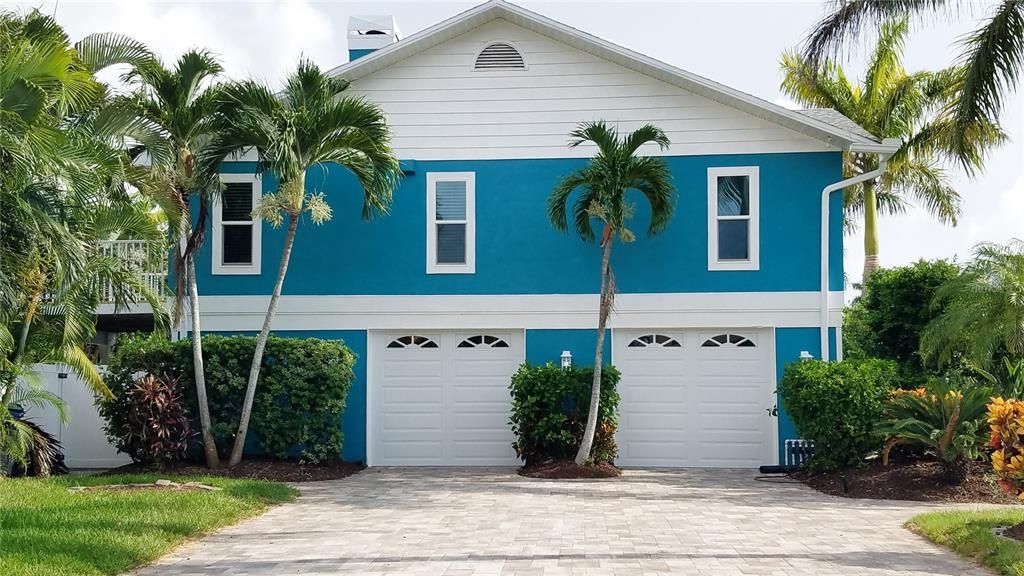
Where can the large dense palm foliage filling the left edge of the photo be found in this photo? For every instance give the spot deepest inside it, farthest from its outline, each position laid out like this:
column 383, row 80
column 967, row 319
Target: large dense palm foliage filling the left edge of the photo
column 65, row 177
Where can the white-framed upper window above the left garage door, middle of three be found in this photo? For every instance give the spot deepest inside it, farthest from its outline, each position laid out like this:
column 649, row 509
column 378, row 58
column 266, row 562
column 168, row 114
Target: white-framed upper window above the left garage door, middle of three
column 451, row 223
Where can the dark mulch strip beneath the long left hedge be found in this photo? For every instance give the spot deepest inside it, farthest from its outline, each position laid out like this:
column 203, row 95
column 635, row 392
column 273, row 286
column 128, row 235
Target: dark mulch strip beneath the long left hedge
column 254, row 469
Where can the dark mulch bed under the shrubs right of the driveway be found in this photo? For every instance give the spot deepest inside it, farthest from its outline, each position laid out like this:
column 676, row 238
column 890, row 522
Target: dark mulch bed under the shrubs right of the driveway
column 911, row 480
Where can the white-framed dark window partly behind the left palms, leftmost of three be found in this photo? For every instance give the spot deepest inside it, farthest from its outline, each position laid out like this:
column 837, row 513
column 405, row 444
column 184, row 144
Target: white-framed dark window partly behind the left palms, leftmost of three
column 237, row 234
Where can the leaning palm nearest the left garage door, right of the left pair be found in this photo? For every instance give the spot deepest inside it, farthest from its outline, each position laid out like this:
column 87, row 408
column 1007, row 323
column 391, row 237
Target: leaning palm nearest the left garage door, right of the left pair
column 311, row 125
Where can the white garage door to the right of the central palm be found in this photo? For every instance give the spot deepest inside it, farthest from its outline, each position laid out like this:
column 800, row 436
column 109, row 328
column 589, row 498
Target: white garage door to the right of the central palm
column 695, row 398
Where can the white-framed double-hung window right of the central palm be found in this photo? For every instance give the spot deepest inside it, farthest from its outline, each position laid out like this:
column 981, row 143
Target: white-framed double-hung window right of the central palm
column 734, row 229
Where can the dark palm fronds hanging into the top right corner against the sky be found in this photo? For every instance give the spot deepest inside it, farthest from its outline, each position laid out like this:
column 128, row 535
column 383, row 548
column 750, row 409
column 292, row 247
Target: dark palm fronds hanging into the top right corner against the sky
column 990, row 66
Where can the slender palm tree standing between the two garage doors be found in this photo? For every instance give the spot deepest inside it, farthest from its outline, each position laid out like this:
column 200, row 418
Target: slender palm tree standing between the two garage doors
column 604, row 186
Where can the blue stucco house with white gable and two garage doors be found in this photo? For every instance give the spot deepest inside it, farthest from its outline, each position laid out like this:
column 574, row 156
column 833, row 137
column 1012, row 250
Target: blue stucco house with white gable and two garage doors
column 466, row 279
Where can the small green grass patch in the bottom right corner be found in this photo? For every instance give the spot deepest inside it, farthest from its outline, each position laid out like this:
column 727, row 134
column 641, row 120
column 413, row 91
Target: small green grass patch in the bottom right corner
column 969, row 533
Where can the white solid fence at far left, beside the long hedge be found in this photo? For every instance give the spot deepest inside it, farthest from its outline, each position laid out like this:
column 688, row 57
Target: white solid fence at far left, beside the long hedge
column 86, row 445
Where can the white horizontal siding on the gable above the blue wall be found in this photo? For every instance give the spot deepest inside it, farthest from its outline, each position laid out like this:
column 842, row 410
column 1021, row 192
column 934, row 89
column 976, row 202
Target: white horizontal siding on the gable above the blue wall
column 441, row 108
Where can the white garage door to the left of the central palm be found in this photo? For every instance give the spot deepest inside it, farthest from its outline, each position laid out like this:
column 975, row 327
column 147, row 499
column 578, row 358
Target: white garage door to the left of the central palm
column 443, row 398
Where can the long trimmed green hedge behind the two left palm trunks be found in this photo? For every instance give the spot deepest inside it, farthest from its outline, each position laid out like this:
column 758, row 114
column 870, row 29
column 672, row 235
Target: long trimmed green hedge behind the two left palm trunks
column 300, row 401
